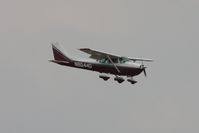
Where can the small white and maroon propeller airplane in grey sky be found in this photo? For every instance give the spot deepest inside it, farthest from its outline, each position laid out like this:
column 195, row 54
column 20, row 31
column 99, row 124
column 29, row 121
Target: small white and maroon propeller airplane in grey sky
column 103, row 63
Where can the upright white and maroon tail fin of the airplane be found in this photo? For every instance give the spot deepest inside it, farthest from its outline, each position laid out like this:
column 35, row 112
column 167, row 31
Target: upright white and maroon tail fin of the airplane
column 60, row 54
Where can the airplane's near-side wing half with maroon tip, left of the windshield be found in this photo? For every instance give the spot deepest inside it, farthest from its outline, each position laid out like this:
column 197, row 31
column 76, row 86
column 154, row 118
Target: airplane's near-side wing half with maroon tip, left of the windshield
column 97, row 55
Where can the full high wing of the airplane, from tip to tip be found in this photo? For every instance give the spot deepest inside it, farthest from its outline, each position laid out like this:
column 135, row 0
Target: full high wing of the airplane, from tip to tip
column 97, row 55
